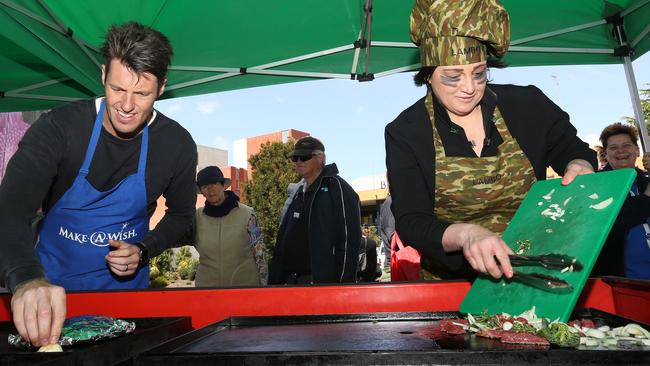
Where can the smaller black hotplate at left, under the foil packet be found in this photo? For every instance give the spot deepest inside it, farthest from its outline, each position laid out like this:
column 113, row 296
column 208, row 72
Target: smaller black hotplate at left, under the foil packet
column 149, row 332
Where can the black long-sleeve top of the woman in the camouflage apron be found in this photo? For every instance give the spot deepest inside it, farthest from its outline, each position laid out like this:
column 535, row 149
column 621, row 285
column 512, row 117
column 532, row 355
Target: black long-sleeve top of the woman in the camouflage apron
column 541, row 128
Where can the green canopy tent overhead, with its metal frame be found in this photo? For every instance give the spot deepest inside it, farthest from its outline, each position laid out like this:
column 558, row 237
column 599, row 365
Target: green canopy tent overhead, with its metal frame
column 49, row 48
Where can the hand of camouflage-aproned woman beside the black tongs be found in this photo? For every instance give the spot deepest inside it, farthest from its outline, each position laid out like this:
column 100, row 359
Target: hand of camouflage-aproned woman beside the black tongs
column 483, row 249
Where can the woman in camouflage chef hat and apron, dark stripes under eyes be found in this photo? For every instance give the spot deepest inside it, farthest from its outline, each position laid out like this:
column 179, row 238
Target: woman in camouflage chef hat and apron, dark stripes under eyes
column 461, row 159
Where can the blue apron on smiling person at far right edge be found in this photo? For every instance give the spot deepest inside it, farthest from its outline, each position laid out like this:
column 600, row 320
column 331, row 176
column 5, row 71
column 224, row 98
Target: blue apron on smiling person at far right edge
column 637, row 248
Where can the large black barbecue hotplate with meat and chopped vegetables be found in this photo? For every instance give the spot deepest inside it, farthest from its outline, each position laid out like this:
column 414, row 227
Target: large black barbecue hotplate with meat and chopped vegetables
column 384, row 338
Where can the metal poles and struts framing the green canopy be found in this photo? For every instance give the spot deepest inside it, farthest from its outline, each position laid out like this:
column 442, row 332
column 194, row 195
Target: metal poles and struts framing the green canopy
column 363, row 42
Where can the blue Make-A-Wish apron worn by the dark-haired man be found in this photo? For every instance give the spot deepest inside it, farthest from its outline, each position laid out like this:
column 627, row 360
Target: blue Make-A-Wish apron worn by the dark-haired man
column 73, row 237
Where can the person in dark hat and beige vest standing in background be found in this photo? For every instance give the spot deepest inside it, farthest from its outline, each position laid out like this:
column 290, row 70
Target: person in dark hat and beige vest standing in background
column 227, row 236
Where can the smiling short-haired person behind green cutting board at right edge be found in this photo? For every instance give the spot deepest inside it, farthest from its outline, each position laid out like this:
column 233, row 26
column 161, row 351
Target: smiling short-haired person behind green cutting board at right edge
column 627, row 249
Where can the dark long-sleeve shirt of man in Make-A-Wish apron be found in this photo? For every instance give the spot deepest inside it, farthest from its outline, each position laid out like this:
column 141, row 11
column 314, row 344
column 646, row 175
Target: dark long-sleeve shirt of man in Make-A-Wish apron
column 48, row 160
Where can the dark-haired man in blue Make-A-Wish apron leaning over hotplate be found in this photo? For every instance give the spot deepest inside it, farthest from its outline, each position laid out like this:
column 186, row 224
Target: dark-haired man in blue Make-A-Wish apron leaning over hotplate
column 96, row 168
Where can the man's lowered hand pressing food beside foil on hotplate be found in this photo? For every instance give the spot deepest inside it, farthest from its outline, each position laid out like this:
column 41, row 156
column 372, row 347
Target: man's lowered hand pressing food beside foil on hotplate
column 39, row 309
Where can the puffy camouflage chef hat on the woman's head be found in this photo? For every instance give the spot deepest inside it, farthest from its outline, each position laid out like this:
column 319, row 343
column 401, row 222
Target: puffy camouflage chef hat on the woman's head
column 458, row 32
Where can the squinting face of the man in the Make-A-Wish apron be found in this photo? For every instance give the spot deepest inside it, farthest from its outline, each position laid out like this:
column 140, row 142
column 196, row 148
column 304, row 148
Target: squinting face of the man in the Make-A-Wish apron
column 129, row 99
